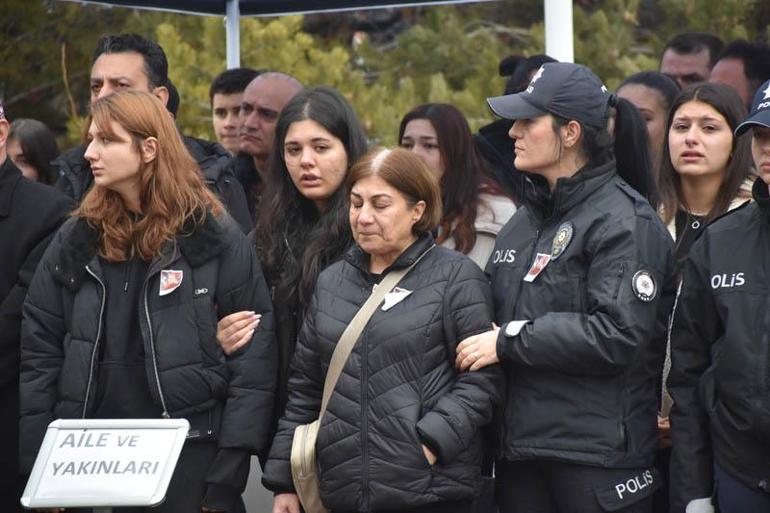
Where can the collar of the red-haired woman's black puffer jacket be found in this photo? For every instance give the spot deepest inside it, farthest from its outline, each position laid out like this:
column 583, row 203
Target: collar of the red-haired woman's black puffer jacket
column 197, row 243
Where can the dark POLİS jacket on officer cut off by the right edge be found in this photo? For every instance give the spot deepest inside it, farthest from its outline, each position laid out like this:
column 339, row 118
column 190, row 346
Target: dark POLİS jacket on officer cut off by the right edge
column 720, row 352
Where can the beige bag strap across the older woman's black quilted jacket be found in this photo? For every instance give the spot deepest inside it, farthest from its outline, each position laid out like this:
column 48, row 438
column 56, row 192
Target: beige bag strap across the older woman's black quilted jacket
column 353, row 330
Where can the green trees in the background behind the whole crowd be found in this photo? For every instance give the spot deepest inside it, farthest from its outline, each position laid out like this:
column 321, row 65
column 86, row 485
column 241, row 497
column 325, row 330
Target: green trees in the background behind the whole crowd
column 448, row 54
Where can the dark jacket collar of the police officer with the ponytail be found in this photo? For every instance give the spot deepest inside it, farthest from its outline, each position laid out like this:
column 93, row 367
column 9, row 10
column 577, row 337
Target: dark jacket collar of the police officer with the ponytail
column 574, row 190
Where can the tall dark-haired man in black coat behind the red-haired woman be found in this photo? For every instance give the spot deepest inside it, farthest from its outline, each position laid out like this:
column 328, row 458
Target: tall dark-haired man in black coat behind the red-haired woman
column 130, row 61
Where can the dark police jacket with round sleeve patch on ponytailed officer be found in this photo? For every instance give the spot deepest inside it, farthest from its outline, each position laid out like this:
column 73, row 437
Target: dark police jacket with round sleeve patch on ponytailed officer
column 582, row 370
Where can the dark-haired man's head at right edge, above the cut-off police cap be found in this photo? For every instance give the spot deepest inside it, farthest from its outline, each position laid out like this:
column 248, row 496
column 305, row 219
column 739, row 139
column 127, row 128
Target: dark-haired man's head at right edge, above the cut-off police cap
column 743, row 66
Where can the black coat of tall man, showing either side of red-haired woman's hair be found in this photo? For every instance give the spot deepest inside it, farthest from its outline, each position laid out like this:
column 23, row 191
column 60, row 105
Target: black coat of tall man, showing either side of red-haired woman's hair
column 75, row 177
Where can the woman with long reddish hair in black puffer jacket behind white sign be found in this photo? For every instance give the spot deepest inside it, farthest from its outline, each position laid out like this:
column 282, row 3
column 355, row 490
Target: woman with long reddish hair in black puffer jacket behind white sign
column 120, row 319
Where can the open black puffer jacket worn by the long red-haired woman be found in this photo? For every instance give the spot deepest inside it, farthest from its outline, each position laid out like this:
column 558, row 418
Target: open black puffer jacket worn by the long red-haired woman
column 230, row 399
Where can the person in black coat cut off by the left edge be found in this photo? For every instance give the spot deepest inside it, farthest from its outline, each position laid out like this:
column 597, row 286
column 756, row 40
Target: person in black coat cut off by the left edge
column 30, row 213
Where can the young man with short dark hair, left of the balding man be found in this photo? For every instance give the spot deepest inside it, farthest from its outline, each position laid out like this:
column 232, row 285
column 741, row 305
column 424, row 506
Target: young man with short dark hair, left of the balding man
column 225, row 95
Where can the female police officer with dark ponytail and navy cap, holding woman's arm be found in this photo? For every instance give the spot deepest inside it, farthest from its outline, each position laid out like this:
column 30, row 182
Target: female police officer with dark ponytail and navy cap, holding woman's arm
column 579, row 277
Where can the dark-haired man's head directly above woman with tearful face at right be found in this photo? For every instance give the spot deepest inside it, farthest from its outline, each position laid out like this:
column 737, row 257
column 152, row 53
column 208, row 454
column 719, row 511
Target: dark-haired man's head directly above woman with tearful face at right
column 689, row 57
